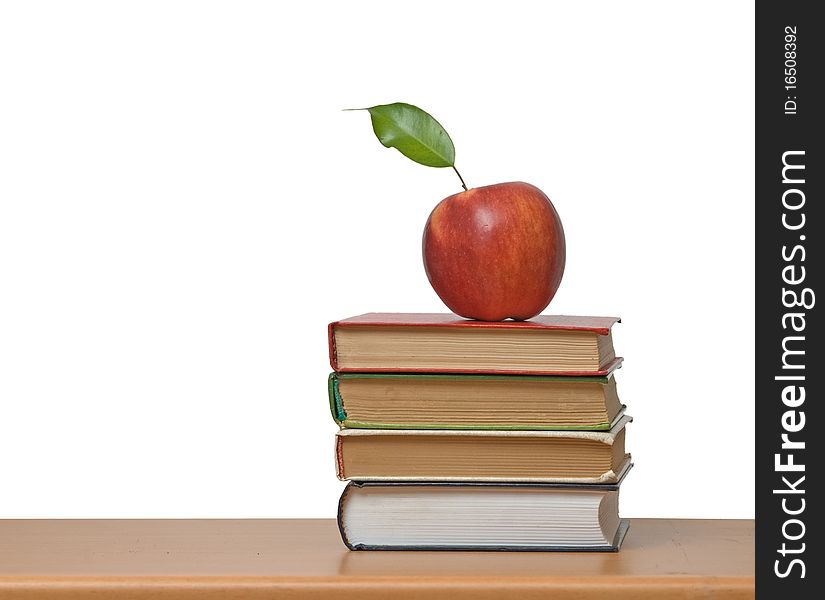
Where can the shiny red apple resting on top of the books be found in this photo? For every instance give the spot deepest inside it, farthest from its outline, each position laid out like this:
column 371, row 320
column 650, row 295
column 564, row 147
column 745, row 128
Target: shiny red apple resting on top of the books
column 495, row 252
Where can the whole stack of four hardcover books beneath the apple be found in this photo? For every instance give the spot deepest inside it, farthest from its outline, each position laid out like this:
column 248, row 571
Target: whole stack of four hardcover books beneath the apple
column 472, row 435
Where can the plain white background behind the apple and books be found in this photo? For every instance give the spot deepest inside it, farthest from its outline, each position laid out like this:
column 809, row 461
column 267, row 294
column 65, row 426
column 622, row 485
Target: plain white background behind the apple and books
column 184, row 206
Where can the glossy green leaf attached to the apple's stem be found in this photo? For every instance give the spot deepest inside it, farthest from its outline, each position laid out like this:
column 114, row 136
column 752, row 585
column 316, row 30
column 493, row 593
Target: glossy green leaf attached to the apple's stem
column 414, row 133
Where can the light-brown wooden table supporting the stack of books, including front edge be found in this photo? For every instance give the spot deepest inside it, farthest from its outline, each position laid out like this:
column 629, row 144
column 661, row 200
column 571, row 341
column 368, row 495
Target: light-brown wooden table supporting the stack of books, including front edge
column 304, row 558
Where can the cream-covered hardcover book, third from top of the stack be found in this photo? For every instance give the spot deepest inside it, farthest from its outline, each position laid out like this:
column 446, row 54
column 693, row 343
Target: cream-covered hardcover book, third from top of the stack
column 482, row 455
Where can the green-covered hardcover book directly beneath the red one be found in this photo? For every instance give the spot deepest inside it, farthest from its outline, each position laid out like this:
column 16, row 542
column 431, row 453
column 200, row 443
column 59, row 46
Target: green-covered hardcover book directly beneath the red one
column 452, row 401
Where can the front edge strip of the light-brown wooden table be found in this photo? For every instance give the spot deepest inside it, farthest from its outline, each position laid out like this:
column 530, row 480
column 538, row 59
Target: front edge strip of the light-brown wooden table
column 664, row 587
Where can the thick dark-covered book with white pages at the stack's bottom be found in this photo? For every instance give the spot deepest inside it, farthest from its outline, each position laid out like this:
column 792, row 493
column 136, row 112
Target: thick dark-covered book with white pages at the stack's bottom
column 482, row 516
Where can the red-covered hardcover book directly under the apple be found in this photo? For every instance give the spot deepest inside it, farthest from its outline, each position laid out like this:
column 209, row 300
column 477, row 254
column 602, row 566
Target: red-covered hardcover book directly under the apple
column 445, row 343
